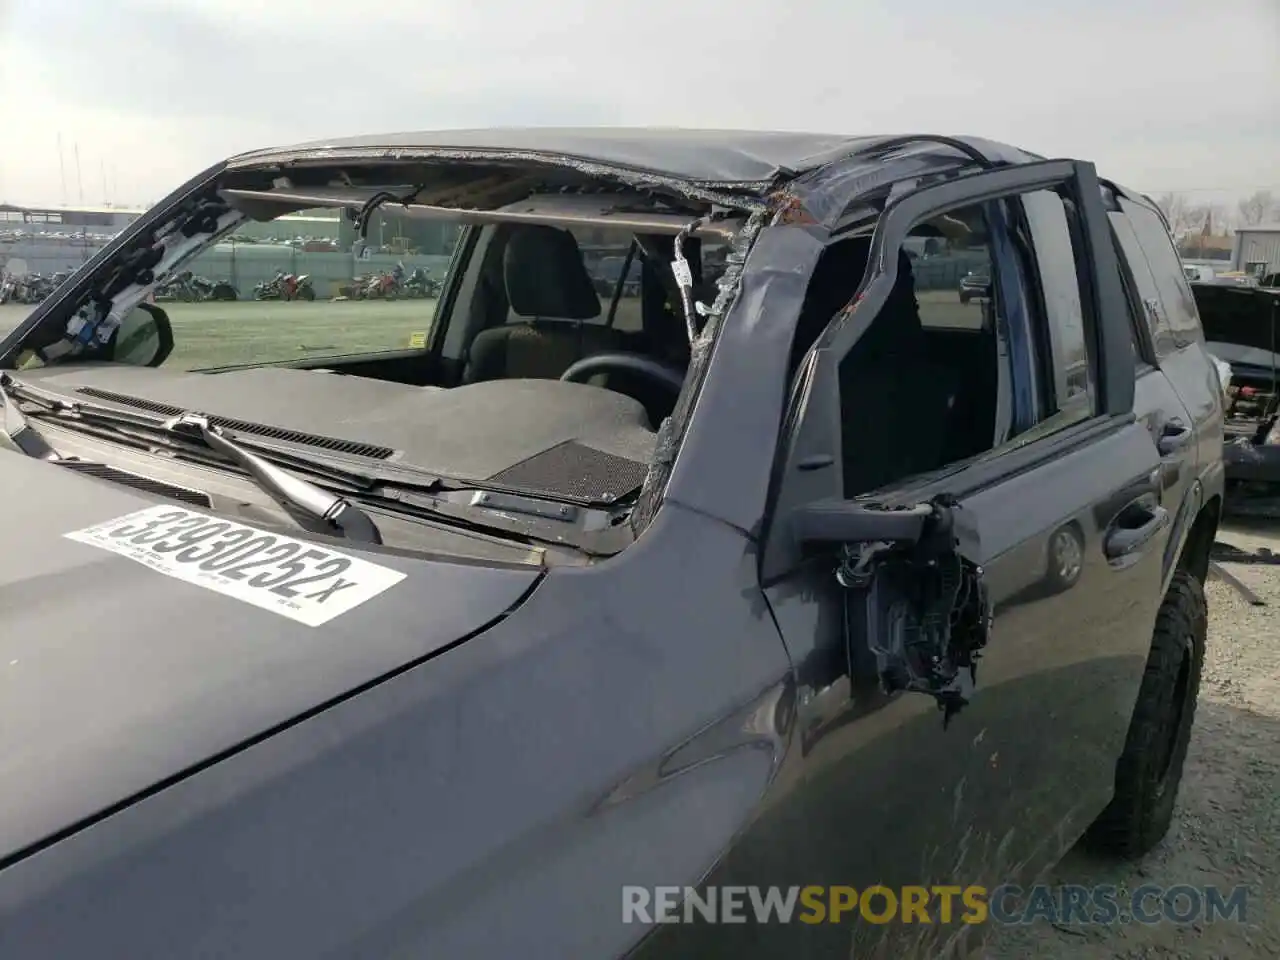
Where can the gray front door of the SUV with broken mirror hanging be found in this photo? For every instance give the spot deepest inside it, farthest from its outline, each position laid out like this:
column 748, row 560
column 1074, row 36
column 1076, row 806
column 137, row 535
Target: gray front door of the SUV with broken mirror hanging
column 883, row 789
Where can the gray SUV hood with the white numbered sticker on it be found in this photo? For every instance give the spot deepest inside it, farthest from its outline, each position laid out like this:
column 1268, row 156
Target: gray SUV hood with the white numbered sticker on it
column 117, row 673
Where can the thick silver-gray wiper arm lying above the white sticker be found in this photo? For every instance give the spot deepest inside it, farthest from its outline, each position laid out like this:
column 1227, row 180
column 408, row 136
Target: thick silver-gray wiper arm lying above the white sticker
column 312, row 506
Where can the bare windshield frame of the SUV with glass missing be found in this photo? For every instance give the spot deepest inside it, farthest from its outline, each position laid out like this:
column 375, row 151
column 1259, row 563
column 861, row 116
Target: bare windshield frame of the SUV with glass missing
column 679, row 209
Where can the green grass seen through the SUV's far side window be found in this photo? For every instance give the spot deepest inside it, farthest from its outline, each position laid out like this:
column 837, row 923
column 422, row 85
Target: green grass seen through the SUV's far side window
column 252, row 332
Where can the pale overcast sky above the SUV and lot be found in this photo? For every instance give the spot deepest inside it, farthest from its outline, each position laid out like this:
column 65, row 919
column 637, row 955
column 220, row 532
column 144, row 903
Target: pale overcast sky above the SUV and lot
column 1160, row 94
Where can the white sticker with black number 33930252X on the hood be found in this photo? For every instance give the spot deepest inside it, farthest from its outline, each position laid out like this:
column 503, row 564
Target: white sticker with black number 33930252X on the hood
column 296, row 579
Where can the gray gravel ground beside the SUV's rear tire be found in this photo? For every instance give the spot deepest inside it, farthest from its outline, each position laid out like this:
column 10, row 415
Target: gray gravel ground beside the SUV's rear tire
column 1227, row 830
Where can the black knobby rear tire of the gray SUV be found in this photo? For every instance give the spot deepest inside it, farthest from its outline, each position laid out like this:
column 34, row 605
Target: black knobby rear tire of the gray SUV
column 1151, row 767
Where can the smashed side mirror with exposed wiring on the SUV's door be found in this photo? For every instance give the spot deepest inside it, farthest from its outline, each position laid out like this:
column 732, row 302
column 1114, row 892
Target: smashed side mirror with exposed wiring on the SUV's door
column 911, row 598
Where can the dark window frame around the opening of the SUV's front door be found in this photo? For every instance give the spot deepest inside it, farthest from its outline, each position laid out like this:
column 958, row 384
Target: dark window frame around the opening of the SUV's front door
column 810, row 461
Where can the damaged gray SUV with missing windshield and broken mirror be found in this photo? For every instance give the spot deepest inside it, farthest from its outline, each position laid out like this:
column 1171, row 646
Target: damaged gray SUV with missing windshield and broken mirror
column 781, row 565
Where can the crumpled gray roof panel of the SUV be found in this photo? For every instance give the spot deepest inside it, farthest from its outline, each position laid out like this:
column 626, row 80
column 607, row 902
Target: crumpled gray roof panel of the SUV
column 751, row 162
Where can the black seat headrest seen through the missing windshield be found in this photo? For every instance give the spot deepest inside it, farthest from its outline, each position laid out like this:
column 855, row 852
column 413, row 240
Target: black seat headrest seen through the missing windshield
column 546, row 277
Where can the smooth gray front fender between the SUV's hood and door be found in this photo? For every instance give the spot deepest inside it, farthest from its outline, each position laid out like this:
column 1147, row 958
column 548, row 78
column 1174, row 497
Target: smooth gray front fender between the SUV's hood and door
column 619, row 729
